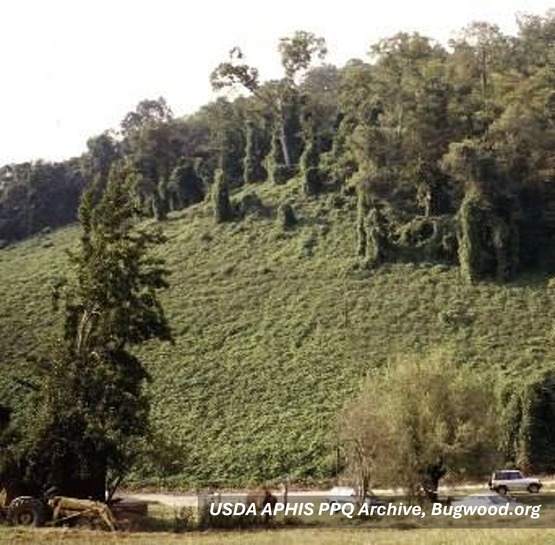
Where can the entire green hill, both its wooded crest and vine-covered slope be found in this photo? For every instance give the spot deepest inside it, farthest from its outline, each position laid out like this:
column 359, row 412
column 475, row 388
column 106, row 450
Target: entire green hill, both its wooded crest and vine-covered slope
column 317, row 227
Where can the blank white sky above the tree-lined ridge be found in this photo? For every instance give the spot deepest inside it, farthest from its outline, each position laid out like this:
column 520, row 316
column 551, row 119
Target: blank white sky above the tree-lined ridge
column 73, row 68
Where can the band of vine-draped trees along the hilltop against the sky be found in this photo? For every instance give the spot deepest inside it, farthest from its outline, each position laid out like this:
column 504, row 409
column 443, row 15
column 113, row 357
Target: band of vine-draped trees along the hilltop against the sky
column 449, row 150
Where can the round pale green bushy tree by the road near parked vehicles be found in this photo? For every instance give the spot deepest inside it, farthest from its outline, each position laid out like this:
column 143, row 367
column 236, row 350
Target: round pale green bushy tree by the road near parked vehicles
column 419, row 420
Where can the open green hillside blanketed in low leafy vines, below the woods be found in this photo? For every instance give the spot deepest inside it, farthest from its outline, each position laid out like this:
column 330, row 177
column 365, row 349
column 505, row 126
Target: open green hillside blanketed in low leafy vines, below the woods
column 274, row 330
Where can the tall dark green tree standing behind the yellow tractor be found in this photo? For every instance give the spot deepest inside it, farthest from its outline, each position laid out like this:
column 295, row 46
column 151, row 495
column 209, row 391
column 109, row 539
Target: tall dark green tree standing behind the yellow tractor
column 90, row 410
